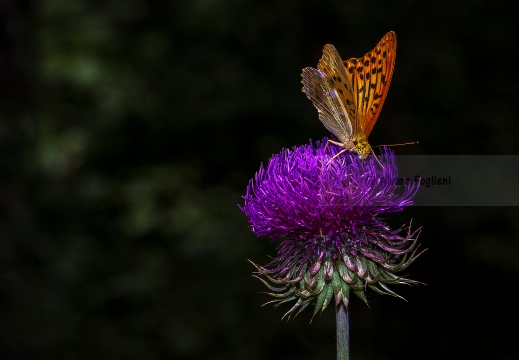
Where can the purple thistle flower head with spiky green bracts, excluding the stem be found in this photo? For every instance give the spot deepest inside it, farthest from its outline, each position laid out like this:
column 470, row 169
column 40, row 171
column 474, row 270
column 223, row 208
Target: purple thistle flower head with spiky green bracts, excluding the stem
column 331, row 214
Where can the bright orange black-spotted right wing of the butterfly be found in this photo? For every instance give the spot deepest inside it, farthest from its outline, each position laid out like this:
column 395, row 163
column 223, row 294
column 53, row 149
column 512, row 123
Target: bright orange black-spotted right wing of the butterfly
column 371, row 76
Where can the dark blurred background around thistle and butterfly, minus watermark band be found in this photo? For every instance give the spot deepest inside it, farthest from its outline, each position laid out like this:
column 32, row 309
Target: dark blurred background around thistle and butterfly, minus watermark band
column 129, row 130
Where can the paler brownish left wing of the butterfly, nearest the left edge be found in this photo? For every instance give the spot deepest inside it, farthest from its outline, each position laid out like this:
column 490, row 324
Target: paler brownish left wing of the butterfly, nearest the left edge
column 322, row 92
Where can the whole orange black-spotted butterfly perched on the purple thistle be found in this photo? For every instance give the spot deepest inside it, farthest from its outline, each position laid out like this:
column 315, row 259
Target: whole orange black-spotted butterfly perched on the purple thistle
column 349, row 95
